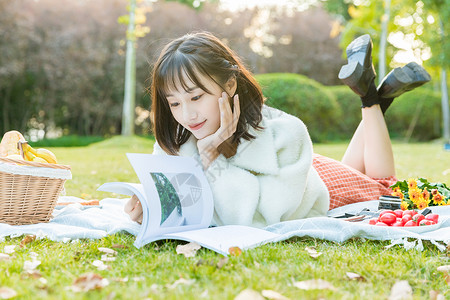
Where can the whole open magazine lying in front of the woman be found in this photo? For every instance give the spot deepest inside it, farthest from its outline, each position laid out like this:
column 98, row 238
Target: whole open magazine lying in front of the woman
column 177, row 203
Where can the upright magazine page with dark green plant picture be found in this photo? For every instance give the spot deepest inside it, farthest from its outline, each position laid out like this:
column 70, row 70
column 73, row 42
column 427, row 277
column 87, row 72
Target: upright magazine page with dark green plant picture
column 177, row 193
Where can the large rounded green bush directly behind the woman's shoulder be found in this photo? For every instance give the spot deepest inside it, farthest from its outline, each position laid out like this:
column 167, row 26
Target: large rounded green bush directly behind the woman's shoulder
column 304, row 98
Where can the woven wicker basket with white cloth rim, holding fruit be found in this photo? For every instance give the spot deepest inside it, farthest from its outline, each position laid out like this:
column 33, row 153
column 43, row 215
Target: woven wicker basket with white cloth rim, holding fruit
column 29, row 192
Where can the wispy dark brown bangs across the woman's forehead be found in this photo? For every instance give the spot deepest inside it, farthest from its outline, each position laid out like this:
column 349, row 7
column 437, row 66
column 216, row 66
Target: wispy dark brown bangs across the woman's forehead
column 179, row 71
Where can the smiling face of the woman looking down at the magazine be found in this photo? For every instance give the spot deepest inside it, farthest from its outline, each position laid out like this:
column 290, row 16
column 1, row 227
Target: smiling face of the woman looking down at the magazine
column 195, row 109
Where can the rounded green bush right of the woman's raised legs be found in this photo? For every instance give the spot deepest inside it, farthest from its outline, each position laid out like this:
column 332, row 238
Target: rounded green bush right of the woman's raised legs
column 416, row 115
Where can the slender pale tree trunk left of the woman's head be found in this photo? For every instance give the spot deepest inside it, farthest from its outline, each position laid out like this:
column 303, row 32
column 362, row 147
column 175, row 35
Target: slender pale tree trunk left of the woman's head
column 130, row 76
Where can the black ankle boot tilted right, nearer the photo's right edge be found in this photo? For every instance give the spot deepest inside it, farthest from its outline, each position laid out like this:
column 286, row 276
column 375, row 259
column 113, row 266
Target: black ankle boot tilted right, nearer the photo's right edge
column 399, row 81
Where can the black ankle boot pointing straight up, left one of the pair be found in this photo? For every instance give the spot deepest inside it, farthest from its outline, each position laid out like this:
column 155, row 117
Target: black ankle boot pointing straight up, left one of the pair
column 359, row 73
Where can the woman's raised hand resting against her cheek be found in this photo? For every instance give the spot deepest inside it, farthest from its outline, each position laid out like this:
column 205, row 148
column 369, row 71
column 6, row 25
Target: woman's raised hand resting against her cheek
column 207, row 147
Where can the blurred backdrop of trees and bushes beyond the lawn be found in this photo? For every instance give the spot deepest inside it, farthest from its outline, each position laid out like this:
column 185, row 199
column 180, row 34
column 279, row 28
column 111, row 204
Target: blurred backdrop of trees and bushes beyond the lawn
column 62, row 62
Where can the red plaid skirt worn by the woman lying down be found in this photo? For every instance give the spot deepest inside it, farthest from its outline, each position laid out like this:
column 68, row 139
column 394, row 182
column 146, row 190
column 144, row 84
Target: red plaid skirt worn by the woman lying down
column 347, row 185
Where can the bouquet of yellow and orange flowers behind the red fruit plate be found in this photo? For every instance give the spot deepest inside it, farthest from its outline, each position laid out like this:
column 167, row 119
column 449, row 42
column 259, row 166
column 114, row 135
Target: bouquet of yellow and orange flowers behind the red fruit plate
column 419, row 193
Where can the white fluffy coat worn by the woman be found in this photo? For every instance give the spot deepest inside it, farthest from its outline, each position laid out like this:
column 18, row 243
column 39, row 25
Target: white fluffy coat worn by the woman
column 269, row 179
